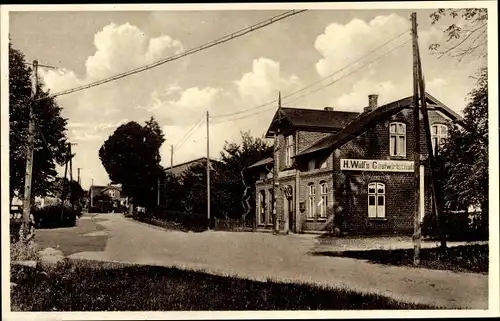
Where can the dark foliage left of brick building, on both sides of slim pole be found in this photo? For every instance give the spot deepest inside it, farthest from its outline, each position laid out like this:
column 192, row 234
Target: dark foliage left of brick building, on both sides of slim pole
column 228, row 180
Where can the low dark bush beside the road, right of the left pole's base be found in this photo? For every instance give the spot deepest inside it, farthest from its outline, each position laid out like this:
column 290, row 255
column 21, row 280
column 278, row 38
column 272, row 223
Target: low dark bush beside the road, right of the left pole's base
column 51, row 216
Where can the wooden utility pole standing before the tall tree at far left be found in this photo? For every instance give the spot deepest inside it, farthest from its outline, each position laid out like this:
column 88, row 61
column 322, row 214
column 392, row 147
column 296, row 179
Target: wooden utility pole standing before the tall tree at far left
column 25, row 229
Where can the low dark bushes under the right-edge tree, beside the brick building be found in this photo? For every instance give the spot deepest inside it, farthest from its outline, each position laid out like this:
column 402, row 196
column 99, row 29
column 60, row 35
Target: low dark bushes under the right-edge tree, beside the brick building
column 458, row 226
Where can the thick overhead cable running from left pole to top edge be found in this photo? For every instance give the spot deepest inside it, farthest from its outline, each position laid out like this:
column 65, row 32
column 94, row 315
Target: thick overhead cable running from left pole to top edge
column 210, row 44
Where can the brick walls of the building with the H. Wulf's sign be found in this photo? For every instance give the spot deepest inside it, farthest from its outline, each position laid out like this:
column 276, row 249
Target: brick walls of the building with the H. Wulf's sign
column 347, row 190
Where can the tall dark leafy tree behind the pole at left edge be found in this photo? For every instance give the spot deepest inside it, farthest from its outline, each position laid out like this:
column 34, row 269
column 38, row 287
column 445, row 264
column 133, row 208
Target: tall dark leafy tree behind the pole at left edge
column 50, row 138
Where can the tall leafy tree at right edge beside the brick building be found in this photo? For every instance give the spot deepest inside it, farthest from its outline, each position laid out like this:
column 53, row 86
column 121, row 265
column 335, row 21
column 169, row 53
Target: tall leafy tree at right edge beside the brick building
column 464, row 158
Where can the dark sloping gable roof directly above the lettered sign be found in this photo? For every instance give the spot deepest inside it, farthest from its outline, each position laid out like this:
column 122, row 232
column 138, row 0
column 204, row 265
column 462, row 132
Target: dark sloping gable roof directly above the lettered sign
column 368, row 119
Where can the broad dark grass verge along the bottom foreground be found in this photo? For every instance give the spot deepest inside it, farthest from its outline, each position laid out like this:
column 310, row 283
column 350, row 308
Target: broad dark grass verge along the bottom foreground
column 95, row 286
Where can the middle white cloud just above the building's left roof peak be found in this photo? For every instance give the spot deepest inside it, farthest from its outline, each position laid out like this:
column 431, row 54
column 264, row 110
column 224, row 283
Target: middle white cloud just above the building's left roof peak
column 264, row 81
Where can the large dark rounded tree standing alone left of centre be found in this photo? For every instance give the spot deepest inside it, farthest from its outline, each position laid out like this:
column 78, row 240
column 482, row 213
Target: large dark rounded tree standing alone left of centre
column 131, row 157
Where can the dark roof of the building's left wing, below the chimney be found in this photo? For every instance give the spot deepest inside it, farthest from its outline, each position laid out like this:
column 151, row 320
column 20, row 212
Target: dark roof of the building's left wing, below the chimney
column 313, row 119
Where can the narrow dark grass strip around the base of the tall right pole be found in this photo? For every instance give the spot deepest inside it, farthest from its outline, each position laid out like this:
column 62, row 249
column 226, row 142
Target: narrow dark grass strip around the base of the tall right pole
column 466, row 258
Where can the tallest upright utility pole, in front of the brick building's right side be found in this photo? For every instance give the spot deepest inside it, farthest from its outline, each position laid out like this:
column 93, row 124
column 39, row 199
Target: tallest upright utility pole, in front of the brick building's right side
column 416, row 156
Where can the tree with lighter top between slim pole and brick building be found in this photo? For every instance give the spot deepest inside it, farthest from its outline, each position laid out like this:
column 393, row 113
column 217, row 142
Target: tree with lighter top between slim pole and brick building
column 233, row 186
